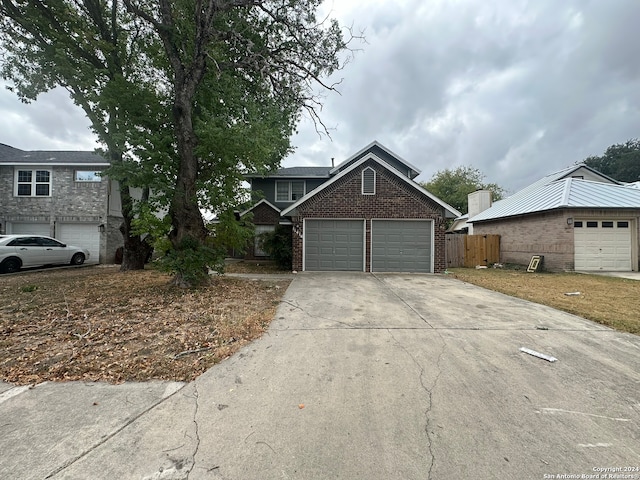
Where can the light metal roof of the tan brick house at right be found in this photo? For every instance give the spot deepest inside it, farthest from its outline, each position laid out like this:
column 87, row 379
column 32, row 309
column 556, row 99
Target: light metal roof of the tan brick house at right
column 563, row 193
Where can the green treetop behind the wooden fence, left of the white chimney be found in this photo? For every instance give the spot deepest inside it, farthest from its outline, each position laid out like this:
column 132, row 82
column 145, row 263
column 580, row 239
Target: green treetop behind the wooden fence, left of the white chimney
column 454, row 185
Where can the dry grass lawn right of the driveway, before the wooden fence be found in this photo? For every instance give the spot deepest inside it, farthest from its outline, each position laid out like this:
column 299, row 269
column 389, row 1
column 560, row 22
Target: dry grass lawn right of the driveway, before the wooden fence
column 611, row 301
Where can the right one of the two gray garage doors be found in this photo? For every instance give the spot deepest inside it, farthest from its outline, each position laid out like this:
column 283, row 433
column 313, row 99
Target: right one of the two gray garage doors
column 401, row 246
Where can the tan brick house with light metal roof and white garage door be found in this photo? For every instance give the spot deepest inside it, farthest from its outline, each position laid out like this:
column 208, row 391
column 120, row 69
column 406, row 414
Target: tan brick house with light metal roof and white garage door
column 578, row 218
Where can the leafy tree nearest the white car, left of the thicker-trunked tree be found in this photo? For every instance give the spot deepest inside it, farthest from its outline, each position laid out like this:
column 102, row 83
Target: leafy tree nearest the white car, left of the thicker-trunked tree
column 91, row 49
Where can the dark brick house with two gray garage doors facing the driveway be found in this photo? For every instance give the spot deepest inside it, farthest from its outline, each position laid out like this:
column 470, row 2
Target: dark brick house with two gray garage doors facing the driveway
column 366, row 214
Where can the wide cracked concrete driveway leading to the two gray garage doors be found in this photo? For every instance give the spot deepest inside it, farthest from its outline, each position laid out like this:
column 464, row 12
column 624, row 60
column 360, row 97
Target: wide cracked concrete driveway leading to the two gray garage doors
column 369, row 377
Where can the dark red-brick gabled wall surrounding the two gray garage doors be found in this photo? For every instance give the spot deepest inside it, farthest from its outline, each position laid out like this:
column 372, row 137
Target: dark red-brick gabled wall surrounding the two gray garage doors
column 394, row 199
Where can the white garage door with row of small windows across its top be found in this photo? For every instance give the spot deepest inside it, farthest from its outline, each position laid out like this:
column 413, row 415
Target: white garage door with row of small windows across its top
column 602, row 245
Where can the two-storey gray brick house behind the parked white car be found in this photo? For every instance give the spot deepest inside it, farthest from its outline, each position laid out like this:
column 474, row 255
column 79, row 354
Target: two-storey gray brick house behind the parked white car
column 60, row 194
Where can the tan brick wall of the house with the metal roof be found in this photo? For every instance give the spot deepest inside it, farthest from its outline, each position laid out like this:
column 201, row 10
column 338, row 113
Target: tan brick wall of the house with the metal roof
column 550, row 235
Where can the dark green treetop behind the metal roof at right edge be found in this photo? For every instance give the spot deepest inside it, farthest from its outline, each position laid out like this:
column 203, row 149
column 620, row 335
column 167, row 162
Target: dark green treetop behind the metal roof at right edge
column 620, row 161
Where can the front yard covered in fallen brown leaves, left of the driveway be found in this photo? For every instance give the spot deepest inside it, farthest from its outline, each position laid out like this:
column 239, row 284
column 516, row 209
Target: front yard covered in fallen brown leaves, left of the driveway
column 100, row 324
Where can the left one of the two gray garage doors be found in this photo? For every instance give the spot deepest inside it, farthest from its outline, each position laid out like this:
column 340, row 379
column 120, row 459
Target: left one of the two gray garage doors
column 332, row 245
